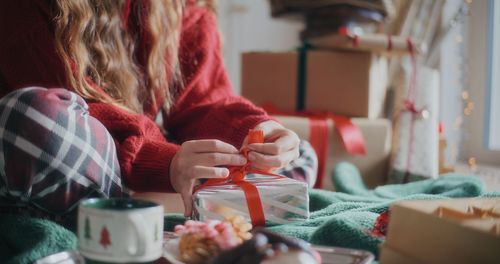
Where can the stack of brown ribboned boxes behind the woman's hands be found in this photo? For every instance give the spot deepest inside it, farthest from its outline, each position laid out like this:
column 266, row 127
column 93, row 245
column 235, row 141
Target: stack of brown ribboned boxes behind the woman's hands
column 317, row 80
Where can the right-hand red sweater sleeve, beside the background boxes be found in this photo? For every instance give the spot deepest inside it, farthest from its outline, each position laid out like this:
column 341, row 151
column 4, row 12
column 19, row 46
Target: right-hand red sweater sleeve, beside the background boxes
column 207, row 106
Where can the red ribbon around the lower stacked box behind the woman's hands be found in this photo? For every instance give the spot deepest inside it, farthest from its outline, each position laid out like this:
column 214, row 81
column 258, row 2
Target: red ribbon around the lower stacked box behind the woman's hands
column 350, row 135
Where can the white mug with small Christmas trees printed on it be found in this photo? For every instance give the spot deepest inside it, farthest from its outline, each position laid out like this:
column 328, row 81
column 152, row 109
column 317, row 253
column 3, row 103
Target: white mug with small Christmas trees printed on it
column 120, row 230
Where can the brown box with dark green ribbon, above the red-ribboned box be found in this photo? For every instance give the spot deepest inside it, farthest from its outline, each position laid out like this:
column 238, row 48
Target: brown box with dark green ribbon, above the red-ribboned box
column 346, row 83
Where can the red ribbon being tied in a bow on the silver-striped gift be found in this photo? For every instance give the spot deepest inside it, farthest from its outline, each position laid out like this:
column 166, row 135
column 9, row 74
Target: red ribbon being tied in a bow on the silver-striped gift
column 237, row 177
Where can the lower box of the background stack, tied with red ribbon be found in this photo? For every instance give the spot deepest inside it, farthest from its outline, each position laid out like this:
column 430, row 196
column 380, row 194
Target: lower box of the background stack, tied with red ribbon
column 373, row 166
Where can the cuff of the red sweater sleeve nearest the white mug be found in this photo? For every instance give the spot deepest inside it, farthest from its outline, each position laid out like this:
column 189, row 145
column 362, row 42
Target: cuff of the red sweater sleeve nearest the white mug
column 151, row 167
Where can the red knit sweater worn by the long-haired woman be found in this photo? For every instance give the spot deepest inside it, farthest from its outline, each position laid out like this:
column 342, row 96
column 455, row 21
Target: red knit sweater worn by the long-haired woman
column 205, row 108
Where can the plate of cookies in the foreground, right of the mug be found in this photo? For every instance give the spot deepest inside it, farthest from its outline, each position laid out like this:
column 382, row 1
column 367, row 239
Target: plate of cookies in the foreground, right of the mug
column 230, row 241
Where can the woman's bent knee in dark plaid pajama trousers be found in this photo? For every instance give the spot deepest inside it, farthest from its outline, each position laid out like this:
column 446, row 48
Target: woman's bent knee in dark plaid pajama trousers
column 52, row 153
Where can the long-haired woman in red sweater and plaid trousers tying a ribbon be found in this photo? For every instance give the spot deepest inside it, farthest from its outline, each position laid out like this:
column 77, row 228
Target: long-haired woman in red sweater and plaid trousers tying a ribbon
column 123, row 65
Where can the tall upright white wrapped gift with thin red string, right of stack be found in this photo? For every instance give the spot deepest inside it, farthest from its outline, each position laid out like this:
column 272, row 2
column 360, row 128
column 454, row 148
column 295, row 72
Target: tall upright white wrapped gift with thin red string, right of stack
column 416, row 138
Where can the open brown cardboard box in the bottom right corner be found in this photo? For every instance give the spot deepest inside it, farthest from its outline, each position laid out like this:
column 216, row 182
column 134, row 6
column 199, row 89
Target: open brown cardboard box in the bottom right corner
column 422, row 229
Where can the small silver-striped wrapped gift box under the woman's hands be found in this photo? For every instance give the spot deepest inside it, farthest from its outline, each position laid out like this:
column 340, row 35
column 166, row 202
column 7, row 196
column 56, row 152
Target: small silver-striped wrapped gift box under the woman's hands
column 283, row 200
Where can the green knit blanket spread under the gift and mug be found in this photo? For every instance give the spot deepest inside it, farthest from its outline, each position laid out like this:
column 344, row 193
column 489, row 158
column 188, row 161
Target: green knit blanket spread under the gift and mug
column 344, row 218
